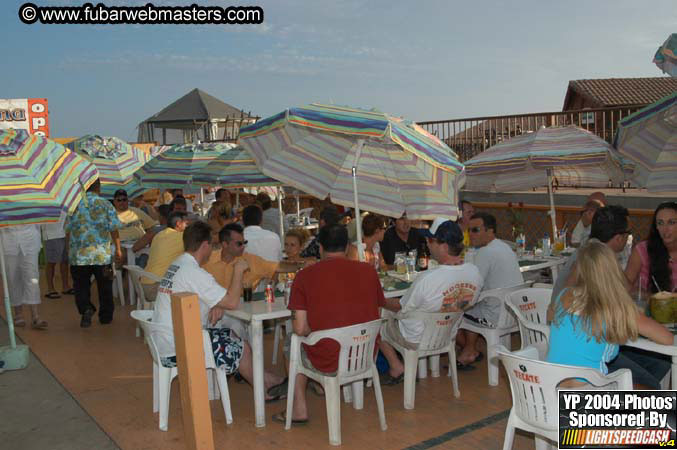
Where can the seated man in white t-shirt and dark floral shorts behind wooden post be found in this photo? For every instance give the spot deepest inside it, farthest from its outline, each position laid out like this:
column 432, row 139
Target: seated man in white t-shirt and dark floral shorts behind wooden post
column 186, row 275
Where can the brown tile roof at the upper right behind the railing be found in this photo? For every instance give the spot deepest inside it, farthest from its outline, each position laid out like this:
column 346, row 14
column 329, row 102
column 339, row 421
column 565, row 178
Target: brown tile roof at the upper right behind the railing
column 621, row 91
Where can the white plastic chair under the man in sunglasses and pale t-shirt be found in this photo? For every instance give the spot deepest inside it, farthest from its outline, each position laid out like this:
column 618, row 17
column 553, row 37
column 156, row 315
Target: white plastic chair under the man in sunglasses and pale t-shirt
column 501, row 334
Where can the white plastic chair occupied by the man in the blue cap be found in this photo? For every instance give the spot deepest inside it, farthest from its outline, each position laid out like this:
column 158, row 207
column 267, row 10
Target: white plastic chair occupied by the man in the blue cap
column 439, row 336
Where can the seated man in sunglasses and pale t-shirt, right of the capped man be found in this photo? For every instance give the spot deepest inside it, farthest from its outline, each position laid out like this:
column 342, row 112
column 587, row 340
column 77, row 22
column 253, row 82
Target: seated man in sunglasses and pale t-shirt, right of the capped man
column 499, row 268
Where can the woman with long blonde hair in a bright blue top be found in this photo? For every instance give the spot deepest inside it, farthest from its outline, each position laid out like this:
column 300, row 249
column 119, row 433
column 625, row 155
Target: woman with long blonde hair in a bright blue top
column 596, row 315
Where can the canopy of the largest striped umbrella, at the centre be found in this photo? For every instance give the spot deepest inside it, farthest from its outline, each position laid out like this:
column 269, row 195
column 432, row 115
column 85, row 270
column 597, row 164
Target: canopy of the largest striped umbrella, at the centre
column 401, row 167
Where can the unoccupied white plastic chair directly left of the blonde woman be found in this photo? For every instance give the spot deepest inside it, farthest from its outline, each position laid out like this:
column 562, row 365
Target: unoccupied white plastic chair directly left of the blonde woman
column 530, row 306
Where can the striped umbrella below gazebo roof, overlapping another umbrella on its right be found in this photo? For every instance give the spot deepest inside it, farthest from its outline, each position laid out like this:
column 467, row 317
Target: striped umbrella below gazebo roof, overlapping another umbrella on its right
column 176, row 167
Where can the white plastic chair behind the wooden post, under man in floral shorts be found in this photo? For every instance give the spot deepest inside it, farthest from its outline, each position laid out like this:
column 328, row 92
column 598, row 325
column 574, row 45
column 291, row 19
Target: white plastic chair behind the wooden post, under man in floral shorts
column 163, row 376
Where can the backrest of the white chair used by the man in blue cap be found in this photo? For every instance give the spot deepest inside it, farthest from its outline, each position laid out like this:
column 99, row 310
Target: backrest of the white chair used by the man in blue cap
column 439, row 329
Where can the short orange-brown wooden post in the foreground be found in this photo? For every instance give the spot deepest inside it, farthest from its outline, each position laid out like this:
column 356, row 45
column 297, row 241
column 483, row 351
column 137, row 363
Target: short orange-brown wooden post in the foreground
column 190, row 359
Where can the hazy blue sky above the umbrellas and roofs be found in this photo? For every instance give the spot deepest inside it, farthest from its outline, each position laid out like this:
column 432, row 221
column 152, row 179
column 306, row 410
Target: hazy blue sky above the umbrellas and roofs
column 424, row 60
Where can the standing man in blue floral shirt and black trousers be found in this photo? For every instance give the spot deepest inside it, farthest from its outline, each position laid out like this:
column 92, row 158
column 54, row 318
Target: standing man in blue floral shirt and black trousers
column 90, row 233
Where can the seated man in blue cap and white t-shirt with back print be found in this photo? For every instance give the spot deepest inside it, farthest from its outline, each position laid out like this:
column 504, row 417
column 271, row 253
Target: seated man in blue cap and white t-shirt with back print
column 452, row 286
